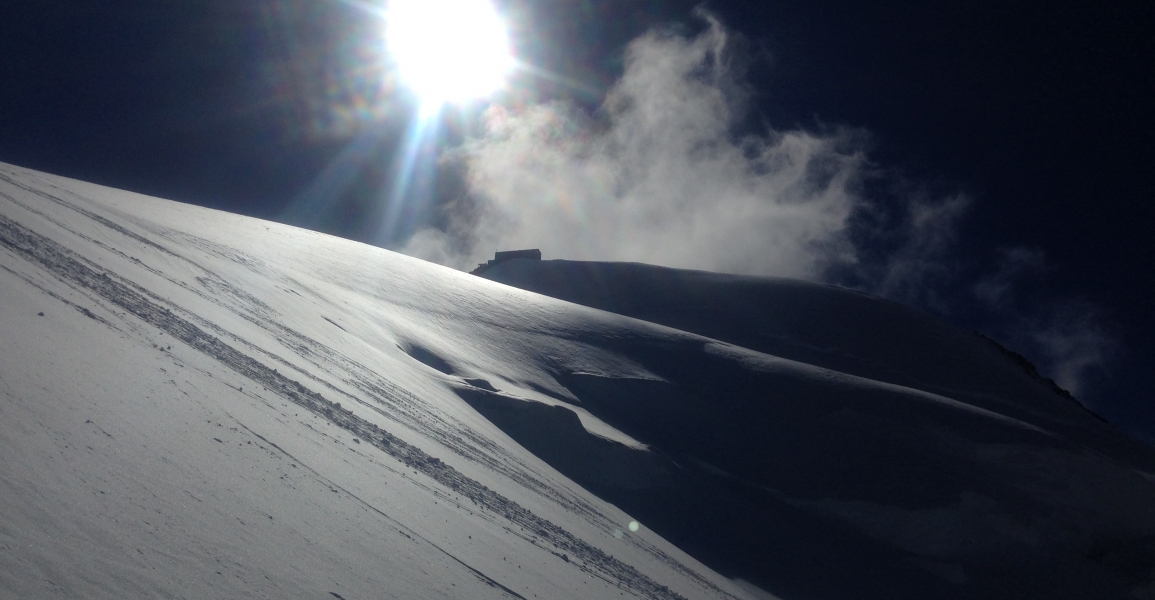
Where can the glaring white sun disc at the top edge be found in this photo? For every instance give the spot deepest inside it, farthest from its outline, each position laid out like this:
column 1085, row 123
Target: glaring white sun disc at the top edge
column 449, row 50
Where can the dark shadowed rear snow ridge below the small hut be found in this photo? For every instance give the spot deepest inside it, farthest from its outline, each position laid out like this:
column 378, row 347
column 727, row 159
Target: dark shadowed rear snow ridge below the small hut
column 829, row 327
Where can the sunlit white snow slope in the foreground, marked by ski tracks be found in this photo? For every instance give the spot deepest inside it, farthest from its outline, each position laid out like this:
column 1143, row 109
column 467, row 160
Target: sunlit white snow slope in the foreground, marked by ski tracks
column 219, row 408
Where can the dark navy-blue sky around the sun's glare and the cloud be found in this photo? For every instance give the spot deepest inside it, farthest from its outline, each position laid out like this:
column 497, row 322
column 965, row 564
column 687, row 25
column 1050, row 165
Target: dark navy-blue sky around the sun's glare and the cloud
column 1041, row 113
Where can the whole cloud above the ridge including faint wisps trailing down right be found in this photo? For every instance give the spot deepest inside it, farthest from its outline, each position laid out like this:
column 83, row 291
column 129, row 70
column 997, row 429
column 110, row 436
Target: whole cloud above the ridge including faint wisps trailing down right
column 661, row 175
